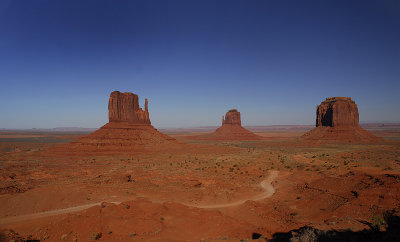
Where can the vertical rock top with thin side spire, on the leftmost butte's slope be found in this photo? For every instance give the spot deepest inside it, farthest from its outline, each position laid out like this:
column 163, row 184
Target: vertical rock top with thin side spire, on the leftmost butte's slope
column 124, row 107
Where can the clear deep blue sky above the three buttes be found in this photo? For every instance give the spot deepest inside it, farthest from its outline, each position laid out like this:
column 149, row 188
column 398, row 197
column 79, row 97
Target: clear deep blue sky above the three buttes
column 274, row 61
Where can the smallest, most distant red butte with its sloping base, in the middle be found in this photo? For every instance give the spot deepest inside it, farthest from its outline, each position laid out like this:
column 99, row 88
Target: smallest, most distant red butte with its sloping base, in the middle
column 232, row 129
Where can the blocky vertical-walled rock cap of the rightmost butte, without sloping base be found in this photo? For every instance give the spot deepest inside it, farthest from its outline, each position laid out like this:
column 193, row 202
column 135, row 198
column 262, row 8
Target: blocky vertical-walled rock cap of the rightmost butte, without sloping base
column 337, row 111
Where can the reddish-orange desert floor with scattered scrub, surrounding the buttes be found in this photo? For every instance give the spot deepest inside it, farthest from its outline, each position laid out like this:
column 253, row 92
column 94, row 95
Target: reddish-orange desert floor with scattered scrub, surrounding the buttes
column 209, row 190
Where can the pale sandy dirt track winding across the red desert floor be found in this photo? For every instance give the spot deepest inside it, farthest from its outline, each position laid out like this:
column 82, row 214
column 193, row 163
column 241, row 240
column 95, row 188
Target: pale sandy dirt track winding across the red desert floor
column 266, row 184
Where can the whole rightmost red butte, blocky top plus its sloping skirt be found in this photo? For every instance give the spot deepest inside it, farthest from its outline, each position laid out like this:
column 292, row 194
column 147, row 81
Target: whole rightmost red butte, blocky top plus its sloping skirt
column 337, row 121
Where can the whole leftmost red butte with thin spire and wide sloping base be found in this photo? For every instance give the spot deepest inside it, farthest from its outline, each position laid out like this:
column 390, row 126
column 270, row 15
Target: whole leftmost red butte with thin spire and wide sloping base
column 129, row 129
